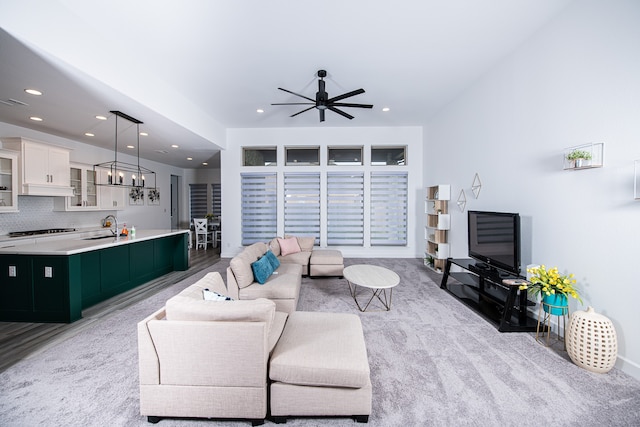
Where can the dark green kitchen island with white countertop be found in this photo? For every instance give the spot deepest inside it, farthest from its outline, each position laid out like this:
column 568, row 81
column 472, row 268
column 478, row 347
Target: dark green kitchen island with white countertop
column 52, row 279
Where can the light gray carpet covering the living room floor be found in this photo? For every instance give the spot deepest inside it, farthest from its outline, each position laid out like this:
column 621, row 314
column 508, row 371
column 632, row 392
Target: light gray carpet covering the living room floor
column 433, row 363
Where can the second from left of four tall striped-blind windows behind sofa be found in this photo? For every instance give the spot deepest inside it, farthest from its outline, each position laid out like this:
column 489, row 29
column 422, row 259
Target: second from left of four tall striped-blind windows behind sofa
column 302, row 204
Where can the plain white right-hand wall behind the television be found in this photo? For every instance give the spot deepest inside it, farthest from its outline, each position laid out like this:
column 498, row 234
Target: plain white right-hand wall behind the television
column 577, row 81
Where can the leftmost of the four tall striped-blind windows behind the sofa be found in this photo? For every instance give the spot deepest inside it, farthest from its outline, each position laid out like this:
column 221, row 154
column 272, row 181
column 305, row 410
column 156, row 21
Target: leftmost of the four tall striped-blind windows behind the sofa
column 259, row 207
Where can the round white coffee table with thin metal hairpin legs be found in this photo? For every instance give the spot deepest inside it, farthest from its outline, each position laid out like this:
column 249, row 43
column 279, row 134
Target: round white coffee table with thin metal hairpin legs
column 377, row 279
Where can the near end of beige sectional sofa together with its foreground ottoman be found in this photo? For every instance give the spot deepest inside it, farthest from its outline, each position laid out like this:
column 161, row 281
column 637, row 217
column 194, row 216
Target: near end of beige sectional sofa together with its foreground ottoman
column 216, row 359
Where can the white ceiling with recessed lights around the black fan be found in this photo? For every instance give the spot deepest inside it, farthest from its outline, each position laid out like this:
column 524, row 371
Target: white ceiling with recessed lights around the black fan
column 193, row 68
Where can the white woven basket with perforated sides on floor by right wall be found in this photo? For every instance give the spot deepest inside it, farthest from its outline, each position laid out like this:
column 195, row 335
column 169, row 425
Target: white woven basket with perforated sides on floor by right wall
column 591, row 341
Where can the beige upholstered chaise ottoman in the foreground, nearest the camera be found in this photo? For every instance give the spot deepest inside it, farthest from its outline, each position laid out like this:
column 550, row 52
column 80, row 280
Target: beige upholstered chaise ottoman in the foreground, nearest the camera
column 320, row 368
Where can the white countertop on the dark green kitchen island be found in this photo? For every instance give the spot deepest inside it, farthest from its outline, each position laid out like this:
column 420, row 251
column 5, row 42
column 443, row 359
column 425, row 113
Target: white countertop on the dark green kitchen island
column 76, row 242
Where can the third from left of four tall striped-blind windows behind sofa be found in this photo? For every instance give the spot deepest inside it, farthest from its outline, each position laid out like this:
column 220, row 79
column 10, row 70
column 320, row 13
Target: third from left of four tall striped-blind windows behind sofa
column 345, row 208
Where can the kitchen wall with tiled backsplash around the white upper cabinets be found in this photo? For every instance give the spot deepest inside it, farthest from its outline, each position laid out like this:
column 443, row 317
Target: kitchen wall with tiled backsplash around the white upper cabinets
column 142, row 217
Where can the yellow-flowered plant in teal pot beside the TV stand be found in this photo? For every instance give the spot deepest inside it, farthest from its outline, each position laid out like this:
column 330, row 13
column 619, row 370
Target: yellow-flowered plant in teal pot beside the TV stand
column 552, row 287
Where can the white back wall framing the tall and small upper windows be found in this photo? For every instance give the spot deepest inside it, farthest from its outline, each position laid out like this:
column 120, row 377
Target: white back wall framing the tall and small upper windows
column 231, row 160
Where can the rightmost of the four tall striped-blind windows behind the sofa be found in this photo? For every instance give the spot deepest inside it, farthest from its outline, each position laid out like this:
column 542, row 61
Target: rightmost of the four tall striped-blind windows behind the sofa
column 389, row 208
